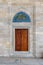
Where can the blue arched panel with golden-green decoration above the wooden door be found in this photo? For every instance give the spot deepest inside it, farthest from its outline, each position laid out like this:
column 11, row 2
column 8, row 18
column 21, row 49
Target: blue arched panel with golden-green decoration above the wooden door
column 21, row 17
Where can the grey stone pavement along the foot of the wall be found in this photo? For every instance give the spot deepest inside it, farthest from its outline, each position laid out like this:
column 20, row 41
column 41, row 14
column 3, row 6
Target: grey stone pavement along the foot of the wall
column 23, row 61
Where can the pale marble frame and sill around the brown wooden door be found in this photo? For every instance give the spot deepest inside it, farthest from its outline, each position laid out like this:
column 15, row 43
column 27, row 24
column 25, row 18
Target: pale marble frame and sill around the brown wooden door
column 22, row 53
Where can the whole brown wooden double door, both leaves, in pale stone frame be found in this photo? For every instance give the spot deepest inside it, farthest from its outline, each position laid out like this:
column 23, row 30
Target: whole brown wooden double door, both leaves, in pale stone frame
column 21, row 39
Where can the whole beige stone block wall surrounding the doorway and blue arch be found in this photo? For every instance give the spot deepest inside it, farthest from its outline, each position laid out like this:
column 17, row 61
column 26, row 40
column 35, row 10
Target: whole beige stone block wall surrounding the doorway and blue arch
column 8, row 8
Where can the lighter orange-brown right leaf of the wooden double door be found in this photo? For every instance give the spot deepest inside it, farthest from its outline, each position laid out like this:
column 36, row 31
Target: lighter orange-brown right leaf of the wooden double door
column 24, row 45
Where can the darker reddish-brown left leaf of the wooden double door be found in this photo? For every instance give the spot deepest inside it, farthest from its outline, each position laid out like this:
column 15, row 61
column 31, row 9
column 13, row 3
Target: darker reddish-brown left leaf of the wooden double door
column 17, row 40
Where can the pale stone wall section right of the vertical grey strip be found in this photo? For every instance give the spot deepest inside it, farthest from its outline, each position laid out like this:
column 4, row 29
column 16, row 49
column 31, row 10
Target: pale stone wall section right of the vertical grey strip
column 39, row 28
